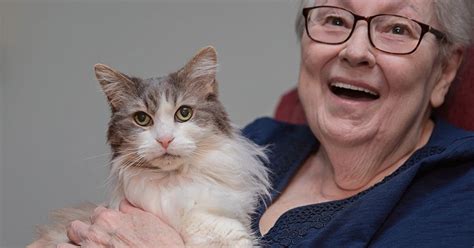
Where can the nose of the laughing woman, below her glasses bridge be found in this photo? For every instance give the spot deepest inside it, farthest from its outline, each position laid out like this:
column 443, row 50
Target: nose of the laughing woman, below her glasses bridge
column 358, row 51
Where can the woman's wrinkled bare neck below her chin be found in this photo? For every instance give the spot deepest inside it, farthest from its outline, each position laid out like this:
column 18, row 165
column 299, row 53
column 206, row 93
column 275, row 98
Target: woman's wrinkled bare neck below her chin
column 343, row 171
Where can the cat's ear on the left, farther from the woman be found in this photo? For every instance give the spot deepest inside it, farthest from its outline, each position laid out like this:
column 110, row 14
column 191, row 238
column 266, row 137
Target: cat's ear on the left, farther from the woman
column 116, row 86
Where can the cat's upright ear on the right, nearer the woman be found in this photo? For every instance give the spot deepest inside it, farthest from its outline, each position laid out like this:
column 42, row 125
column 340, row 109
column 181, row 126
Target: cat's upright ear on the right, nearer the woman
column 200, row 71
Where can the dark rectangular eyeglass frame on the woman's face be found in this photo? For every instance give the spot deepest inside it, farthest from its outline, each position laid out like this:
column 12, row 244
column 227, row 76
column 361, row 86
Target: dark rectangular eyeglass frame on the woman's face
column 425, row 28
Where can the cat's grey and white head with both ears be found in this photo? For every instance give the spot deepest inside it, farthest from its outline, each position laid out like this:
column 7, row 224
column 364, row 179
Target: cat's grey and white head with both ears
column 164, row 122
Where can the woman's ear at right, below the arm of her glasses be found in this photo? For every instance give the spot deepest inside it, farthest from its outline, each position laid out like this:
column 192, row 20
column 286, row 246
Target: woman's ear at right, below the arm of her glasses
column 449, row 68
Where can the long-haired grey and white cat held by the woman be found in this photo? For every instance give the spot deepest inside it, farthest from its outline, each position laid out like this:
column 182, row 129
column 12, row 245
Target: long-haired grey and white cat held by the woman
column 175, row 154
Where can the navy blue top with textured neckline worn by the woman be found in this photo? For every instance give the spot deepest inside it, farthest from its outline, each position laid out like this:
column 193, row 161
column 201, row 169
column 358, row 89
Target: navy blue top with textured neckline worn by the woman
column 427, row 202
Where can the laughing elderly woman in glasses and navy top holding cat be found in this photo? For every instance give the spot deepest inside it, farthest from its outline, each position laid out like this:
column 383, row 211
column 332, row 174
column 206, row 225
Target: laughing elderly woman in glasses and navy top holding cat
column 374, row 167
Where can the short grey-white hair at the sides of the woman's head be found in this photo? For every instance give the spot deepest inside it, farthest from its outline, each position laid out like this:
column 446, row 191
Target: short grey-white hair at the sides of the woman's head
column 456, row 18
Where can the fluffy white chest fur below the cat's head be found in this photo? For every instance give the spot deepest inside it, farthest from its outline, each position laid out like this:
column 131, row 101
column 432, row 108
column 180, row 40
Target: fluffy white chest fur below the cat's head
column 213, row 195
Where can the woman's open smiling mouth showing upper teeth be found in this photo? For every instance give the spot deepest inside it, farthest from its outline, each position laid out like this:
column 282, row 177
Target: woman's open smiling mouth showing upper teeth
column 352, row 92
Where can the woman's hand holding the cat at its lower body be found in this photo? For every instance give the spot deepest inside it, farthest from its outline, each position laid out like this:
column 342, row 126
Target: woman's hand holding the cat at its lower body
column 129, row 227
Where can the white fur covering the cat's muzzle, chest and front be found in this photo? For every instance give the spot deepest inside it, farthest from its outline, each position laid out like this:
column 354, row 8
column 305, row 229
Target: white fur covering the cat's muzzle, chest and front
column 208, row 193
